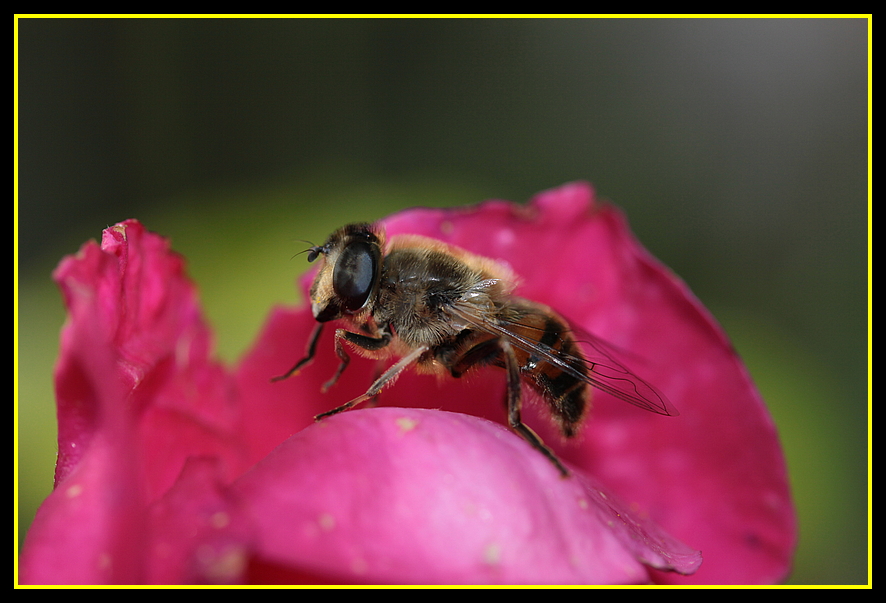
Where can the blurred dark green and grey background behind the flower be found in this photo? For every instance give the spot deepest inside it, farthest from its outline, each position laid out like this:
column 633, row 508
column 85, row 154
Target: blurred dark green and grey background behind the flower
column 737, row 147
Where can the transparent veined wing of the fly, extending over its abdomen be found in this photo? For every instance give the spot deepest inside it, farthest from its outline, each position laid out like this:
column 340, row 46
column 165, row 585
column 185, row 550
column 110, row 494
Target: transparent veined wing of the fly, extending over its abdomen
column 604, row 372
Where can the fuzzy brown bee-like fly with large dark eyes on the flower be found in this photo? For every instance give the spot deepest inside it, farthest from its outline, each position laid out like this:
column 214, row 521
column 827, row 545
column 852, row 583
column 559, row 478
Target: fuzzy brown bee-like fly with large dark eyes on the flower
column 444, row 310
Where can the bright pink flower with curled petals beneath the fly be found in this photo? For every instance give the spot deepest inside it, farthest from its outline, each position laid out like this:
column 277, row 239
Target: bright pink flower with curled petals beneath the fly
column 173, row 469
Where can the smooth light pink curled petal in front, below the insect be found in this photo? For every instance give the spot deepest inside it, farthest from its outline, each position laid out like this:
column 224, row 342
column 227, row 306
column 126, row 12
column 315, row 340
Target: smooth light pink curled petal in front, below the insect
column 391, row 495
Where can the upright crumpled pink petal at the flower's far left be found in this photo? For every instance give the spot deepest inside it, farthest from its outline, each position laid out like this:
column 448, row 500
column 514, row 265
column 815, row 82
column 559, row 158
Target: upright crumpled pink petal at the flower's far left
column 136, row 397
